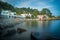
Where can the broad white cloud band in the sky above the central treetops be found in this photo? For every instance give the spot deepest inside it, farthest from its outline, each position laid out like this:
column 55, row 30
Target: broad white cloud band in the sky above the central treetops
column 34, row 4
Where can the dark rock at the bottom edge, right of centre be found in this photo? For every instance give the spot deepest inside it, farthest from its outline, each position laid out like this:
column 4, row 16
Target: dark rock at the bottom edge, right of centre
column 47, row 37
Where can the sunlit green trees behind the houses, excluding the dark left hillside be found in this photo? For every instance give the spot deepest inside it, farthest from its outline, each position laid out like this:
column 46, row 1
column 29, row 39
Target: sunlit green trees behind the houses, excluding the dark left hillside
column 34, row 12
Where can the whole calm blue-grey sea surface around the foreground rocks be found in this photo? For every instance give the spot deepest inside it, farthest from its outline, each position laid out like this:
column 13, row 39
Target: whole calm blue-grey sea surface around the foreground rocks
column 41, row 28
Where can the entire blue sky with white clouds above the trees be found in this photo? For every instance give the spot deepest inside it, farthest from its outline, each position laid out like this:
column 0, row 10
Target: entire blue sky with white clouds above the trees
column 52, row 5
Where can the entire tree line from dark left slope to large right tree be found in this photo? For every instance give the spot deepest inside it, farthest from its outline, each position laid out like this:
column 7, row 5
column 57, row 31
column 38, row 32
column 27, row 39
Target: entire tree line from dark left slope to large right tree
column 34, row 12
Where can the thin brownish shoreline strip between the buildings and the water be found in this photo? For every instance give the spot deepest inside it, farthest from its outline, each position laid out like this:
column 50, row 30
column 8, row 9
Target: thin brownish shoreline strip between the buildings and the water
column 48, row 19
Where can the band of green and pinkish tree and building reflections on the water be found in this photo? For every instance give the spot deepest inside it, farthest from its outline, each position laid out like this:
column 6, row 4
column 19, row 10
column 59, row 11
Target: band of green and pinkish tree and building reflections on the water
column 38, row 23
